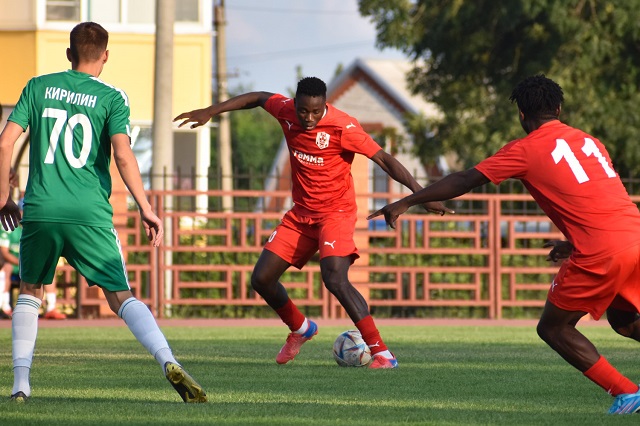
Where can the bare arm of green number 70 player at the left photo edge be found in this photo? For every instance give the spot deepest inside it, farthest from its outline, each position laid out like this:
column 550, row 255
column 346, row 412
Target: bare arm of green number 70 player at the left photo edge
column 9, row 211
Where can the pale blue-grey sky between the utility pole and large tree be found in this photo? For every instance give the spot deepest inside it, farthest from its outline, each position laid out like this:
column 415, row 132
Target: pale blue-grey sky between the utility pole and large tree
column 267, row 40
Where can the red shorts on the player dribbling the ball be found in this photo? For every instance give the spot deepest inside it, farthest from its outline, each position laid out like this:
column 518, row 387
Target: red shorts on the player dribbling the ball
column 299, row 237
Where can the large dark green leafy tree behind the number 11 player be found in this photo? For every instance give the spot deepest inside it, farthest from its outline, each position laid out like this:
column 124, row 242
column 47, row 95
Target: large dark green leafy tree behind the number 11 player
column 468, row 56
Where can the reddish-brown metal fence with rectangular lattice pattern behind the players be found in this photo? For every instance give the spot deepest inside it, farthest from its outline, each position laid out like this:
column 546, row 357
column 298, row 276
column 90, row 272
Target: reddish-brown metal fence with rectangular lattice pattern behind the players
column 486, row 261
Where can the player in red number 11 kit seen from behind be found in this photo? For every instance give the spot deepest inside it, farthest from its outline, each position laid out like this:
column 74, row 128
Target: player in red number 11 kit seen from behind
column 569, row 174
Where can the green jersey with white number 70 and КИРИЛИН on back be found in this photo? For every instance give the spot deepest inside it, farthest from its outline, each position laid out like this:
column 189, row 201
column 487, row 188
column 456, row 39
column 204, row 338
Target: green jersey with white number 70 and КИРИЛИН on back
column 71, row 116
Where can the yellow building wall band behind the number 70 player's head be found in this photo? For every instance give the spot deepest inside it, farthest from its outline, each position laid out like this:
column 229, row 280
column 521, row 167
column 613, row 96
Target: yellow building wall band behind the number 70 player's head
column 130, row 66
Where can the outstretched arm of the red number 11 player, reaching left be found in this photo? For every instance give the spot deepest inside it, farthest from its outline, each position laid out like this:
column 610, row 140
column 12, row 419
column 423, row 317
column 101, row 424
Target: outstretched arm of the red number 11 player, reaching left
column 449, row 187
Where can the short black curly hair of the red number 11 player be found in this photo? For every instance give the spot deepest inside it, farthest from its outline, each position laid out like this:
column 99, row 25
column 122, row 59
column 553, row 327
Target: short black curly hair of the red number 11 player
column 538, row 97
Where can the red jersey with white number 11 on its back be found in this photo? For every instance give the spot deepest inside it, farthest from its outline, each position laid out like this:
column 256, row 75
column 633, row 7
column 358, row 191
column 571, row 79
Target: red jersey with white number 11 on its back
column 569, row 174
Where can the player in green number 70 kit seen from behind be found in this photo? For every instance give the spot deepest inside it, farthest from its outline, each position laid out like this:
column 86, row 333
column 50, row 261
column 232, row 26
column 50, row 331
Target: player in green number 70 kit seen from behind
column 75, row 121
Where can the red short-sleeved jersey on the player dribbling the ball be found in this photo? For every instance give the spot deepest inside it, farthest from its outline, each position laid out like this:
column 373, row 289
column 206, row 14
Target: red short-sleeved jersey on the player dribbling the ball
column 321, row 158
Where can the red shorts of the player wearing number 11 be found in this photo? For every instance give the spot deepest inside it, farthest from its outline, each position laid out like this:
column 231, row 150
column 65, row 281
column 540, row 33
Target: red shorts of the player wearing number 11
column 593, row 287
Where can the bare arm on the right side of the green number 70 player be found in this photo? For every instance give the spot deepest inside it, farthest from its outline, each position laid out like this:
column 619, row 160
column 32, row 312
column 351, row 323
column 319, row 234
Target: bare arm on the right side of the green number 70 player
column 130, row 172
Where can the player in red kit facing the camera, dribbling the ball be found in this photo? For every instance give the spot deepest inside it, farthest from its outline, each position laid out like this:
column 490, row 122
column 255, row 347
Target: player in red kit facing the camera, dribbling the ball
column 322, row 142
